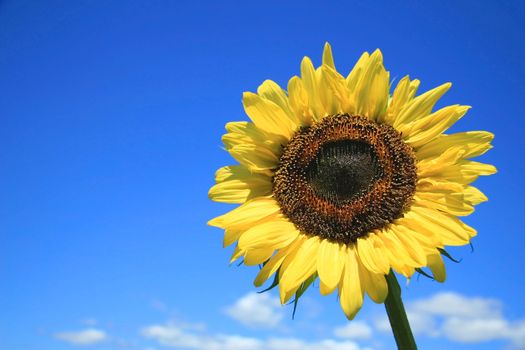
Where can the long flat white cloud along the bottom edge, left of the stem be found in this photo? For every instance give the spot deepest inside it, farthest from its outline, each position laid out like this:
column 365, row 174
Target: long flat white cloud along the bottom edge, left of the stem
column 182, row 337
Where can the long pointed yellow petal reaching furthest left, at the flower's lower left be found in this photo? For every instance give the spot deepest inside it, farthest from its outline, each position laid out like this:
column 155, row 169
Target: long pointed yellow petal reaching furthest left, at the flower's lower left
column 247, row 214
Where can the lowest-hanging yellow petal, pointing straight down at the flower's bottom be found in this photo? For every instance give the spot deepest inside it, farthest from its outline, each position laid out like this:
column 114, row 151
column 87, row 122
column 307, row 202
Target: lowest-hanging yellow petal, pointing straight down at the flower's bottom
column 350, row 289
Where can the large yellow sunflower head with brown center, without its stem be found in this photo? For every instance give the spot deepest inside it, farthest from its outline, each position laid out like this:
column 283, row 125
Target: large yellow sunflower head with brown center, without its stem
column 341, row 180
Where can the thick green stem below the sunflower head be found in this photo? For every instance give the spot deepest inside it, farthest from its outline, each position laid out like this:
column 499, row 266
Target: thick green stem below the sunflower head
column 397, row 315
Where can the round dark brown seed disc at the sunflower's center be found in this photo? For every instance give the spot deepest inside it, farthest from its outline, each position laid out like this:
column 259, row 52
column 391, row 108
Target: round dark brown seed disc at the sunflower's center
column 344, row 177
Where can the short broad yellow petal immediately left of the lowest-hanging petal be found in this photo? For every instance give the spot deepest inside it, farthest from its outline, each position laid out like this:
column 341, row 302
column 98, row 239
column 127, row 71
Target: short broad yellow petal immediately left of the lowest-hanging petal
column 330, row 262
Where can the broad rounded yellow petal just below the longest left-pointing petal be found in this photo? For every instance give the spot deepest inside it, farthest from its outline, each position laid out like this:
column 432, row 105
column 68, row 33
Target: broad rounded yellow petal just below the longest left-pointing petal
column 274, row 234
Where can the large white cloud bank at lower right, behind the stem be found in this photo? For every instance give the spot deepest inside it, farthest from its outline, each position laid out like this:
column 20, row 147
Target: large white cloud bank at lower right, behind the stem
column 461, row 319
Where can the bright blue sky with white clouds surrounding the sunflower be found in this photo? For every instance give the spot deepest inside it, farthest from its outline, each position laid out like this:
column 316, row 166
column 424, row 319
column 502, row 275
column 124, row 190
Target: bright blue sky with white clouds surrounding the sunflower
column 111, row 117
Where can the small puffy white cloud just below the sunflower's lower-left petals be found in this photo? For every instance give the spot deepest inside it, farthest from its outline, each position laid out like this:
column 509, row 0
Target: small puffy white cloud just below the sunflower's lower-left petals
column 257, row 310
